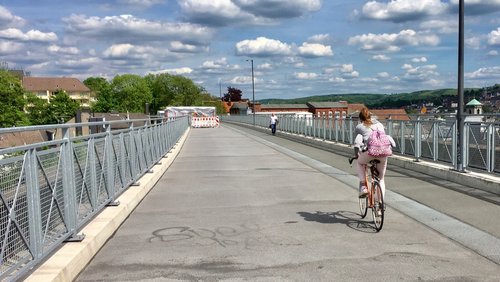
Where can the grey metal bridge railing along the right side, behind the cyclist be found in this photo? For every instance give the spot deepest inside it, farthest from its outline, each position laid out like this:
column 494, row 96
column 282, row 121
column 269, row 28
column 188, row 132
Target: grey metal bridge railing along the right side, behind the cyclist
column 421, row 137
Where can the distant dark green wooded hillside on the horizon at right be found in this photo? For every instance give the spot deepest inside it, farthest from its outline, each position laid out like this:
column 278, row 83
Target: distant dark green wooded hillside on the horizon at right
column 438, row 97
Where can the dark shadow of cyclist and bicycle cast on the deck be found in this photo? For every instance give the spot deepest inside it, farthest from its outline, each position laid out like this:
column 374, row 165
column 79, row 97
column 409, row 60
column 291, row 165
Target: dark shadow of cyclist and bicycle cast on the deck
column 348, row 218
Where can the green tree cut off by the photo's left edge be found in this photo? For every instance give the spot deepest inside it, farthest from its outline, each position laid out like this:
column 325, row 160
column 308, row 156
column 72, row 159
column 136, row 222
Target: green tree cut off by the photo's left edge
column 12, row 101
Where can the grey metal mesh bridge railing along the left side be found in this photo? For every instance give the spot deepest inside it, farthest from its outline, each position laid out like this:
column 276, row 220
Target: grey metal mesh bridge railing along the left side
column 50, row 190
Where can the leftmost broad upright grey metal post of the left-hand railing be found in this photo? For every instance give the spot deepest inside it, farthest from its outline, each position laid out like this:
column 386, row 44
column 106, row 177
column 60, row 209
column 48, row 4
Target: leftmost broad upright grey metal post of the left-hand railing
column 33, row 203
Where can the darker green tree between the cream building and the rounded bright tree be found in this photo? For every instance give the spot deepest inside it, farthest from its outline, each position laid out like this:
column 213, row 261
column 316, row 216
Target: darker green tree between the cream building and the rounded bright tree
column 105, row 102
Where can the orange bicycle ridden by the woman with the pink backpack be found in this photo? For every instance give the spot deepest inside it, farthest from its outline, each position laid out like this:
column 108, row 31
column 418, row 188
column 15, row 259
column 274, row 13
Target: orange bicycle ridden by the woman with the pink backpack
column 375, row 198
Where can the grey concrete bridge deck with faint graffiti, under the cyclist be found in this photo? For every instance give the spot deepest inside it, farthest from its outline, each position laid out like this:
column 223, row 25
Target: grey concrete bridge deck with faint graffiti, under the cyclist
column 242, row 205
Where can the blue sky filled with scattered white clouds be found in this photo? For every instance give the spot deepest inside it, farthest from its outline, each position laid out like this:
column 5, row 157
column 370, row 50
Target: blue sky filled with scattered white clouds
column 297, row 48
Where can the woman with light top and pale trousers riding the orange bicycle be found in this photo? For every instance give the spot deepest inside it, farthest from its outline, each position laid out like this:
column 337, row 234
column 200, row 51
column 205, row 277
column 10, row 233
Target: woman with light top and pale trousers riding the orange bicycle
column 363, row 132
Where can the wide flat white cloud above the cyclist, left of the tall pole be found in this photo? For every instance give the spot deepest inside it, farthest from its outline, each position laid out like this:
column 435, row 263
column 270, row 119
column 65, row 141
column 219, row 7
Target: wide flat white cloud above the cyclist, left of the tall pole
column 393, row 42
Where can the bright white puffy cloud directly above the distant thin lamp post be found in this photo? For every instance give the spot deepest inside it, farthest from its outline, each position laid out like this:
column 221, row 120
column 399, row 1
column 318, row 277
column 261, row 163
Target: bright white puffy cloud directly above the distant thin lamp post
column 262, row 46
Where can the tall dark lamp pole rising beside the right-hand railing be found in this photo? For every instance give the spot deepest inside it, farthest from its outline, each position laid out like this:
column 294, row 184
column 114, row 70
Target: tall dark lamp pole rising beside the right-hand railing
column 460, row 118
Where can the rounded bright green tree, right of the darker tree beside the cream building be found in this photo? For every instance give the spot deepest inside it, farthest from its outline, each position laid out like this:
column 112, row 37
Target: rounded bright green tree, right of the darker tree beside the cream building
column 131, row 93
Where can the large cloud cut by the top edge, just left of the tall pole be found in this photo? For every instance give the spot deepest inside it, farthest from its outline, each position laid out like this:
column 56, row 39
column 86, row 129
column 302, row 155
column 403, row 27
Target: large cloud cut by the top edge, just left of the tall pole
column 403, row 10
